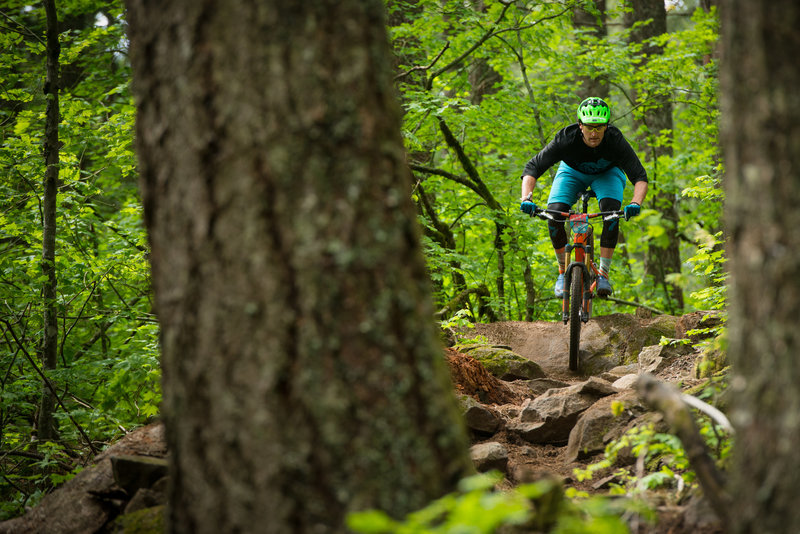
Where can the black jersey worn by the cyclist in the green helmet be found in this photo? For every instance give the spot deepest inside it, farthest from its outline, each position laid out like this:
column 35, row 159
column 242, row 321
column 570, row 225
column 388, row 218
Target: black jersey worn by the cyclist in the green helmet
column 568, row 146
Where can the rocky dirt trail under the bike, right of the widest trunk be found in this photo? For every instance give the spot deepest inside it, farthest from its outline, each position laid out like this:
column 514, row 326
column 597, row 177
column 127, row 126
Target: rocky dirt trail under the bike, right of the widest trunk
column 530, row 417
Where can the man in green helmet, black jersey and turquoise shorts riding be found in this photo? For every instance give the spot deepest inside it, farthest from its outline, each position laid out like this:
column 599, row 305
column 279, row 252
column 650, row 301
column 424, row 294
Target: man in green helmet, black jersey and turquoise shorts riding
column 592, row 153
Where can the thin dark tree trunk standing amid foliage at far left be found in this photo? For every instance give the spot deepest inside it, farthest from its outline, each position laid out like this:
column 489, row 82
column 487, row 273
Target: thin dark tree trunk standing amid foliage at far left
column 49, row 344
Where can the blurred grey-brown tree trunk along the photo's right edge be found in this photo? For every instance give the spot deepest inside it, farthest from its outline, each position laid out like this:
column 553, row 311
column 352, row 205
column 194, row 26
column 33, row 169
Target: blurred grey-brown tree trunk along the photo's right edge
column 761, row 140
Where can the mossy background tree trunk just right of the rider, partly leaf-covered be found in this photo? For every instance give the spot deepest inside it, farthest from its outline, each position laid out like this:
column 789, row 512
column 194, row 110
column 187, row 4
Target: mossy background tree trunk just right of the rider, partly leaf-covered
column 657, row 119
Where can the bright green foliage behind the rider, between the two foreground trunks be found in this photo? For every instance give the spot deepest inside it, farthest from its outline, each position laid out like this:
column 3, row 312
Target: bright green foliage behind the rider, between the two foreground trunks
column 504, row 79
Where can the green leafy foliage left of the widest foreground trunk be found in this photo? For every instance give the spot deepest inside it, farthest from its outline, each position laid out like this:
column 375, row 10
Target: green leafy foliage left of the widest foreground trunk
column 108, row 375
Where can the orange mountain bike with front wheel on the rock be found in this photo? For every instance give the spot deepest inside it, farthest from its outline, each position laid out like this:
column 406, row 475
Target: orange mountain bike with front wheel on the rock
column 580, row 277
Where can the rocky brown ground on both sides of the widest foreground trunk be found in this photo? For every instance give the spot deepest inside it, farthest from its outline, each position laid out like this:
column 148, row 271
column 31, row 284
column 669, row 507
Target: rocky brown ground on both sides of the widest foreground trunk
column 528, row 416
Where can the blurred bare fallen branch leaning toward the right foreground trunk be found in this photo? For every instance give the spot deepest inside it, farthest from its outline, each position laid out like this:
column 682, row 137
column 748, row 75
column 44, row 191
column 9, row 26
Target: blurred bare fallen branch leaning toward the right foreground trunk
column 669, row 401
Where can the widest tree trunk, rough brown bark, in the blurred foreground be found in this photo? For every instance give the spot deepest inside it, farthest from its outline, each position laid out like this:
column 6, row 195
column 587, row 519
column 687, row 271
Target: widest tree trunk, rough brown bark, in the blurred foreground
column 302, row 373
